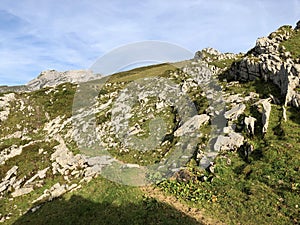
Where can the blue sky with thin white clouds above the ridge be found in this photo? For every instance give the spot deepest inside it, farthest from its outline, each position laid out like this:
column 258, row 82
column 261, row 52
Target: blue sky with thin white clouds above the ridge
column 37, row 35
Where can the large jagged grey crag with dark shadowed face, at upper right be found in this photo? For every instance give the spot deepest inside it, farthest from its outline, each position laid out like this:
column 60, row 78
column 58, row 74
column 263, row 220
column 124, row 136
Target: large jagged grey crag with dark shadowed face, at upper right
column 269, row 61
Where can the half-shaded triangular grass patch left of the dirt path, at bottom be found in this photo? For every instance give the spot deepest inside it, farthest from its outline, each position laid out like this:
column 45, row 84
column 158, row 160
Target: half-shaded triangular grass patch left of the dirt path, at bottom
column 103, row 202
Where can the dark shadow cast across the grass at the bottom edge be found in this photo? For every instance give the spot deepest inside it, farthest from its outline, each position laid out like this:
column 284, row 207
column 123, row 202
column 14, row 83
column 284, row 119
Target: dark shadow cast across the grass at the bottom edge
column 78, row 210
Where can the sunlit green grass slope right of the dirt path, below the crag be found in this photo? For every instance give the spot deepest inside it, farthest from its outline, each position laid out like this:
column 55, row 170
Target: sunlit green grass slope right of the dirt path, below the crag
column 261, row 189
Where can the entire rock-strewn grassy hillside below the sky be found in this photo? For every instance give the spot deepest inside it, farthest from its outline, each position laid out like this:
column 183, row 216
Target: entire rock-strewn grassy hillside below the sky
column 226, row 125
